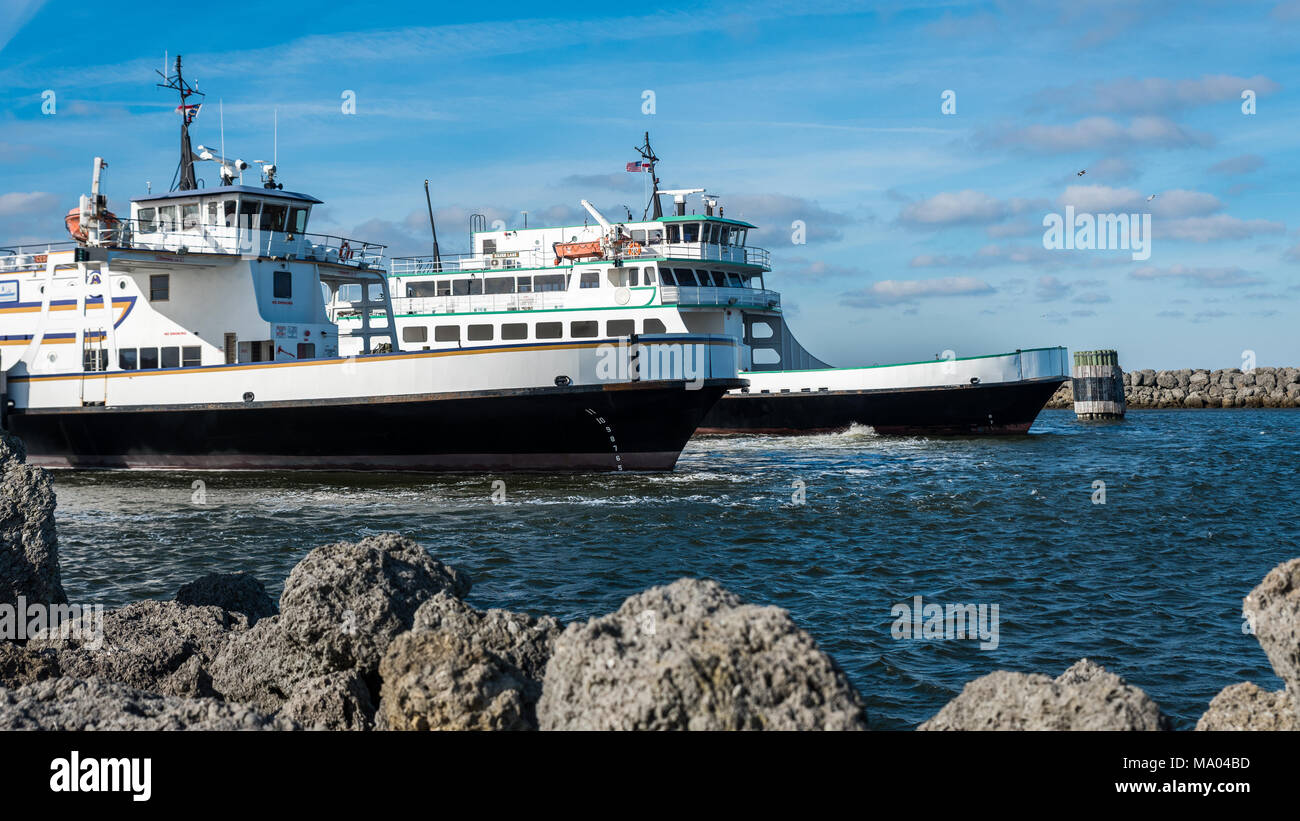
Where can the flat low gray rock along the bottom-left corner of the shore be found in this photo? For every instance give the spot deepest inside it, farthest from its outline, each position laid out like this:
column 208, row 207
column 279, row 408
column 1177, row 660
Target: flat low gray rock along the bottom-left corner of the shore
column 79, row 705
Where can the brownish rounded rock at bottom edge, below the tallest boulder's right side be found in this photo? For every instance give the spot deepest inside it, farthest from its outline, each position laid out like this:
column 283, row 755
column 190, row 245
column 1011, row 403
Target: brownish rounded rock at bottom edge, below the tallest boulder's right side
column 443, row 680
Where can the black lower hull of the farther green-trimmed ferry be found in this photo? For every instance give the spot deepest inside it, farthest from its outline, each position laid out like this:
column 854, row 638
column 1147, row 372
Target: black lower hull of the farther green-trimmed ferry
column 999, row 409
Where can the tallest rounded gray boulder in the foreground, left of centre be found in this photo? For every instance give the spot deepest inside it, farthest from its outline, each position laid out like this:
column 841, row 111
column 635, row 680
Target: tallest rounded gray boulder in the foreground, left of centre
column 346, row 602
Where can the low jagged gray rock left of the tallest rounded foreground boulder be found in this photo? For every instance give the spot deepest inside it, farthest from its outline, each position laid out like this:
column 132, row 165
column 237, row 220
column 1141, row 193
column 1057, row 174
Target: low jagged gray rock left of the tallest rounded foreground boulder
column 158, row 646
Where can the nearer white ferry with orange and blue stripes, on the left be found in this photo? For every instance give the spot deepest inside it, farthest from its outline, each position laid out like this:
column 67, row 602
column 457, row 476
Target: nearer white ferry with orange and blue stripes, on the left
column 196, row 333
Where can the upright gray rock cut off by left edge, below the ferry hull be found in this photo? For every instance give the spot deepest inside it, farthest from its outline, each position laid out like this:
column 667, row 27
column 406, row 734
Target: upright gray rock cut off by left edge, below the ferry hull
column 29, row 546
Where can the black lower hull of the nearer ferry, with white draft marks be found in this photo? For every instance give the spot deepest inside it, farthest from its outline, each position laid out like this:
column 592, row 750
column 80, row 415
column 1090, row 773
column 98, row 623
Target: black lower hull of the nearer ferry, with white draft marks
column 640, row 427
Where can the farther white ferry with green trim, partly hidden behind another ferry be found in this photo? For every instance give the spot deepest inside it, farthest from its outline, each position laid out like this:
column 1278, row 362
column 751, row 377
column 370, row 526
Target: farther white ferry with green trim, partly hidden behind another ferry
column 696, row 273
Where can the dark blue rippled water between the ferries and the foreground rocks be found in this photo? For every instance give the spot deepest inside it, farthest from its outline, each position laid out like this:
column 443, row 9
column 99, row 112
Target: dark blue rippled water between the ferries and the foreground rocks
column 1201, row 505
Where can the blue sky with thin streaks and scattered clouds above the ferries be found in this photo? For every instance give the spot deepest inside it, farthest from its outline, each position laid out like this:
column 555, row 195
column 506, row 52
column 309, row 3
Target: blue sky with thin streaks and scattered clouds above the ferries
column 924, row 229
